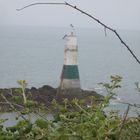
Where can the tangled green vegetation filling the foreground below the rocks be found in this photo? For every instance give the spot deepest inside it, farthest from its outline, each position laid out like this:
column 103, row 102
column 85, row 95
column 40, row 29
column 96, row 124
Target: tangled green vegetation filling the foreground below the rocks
column 74, row 120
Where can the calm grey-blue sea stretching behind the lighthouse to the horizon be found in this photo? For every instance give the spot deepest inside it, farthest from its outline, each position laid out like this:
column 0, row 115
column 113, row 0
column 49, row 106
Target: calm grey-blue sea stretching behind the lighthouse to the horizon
column 36, row 55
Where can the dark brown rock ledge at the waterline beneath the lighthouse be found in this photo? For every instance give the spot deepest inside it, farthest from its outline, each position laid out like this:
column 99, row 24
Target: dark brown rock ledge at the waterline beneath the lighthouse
column 44, row 95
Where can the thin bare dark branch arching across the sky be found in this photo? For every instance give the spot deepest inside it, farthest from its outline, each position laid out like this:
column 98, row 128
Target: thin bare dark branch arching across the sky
column 95, row 19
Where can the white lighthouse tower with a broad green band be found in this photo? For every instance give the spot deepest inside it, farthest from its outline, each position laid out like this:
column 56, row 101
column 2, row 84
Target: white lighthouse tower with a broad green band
column 70, row 74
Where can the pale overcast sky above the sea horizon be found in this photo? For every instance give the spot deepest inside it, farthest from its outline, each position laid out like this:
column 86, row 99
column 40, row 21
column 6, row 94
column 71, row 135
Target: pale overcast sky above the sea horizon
column 120, row 14
